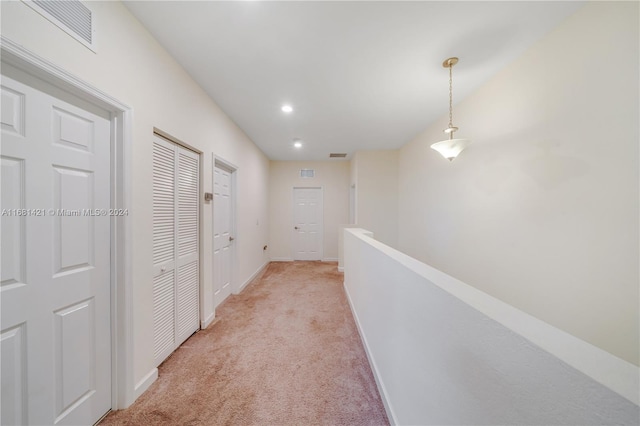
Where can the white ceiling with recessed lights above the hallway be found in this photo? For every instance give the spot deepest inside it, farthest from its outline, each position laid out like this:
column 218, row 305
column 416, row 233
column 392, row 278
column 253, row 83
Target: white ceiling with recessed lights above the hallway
column 359, row 75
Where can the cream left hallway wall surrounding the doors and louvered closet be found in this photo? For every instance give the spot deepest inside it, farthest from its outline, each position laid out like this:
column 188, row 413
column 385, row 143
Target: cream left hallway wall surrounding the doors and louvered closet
column 132, row 67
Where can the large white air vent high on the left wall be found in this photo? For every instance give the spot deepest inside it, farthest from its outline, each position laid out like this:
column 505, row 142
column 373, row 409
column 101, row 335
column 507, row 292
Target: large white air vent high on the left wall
column 72, row 16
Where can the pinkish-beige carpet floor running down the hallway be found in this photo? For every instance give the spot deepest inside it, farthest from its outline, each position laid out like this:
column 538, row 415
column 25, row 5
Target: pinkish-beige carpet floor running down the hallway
column 286, row 351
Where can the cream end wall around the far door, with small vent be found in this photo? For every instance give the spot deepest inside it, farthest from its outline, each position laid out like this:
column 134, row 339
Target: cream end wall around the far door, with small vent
column 332, row 177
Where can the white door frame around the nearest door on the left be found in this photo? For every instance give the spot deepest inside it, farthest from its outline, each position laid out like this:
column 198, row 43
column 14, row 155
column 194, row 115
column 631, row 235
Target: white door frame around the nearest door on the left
column 122, row 383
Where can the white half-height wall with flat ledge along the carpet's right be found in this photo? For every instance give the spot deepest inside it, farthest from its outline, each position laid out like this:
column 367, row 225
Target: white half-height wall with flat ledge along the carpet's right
column 444, row 353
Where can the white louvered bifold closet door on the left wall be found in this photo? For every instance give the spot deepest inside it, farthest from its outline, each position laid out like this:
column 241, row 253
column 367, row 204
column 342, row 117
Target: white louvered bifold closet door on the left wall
column 175, row 246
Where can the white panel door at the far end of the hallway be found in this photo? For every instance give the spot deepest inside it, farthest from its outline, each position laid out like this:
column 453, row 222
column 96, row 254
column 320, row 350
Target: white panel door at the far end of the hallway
column 307, row 228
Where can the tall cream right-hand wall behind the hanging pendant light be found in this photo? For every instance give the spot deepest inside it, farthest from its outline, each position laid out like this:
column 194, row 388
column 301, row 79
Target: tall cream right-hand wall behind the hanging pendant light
column 541, row 211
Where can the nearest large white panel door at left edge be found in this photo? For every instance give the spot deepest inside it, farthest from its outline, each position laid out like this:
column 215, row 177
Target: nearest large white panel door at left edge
column 55, row 272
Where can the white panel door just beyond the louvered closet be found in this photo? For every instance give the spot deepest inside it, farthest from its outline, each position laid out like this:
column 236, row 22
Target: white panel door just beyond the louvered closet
column 222, row 234
